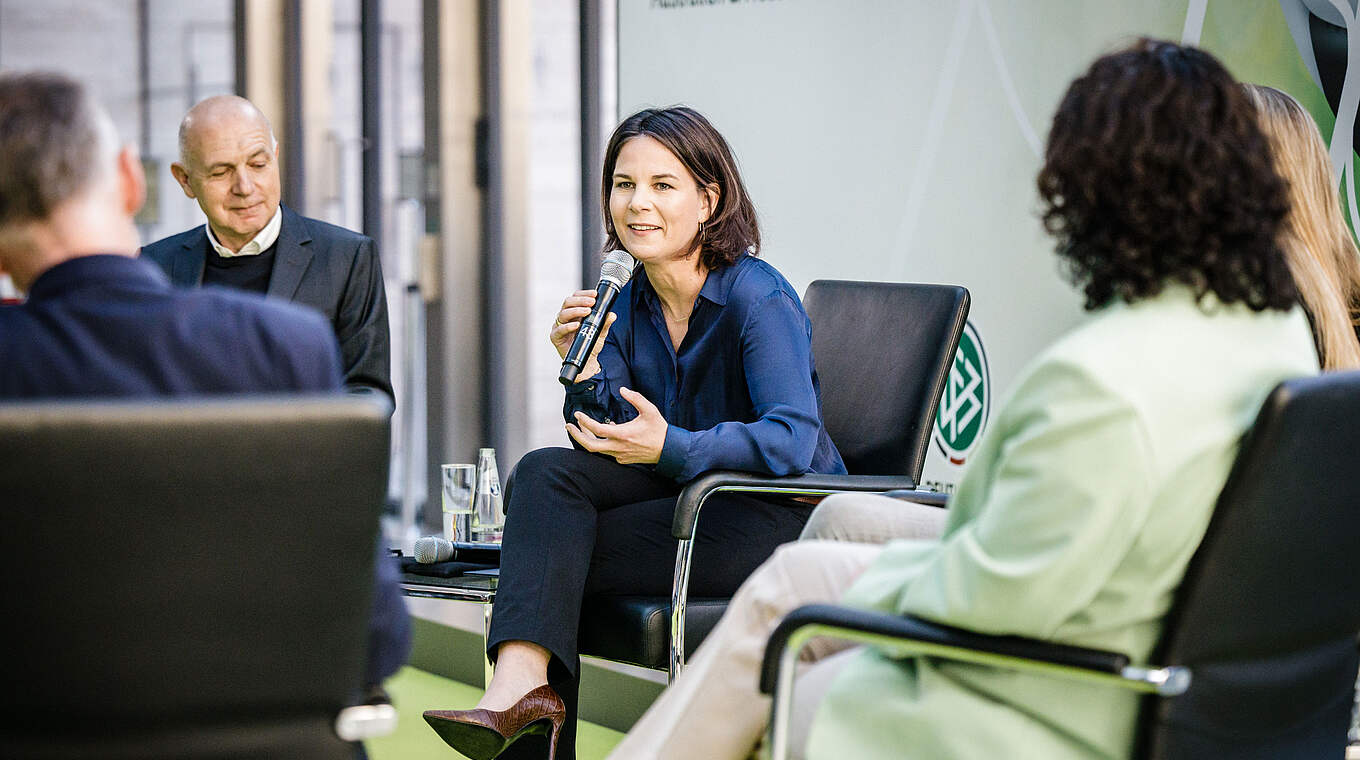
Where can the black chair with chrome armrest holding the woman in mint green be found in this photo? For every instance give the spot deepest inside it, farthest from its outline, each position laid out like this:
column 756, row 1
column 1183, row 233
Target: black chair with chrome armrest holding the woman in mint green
column 1260, row 652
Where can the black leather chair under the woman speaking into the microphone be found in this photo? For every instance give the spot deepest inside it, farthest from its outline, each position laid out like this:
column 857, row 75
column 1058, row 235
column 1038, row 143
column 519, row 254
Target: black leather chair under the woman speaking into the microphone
column 883, row 351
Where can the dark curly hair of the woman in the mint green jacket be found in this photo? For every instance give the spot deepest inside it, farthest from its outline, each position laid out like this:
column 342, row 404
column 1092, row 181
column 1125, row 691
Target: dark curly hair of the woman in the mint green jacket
column 1158, row 172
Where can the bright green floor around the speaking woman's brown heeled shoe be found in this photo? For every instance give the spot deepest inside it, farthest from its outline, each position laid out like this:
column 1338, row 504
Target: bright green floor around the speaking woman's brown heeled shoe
column 415, row 691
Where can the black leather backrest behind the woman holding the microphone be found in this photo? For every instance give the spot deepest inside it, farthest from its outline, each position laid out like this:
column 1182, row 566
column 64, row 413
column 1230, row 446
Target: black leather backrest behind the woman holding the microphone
column 883, row 354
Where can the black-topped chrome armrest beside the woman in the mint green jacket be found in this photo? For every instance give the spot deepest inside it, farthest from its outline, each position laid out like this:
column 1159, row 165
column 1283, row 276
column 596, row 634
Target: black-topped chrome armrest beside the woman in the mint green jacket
column 913, row 636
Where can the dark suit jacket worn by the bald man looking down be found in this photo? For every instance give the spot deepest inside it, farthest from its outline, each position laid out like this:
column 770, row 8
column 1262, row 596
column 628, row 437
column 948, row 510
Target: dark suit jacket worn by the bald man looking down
column 328, row 269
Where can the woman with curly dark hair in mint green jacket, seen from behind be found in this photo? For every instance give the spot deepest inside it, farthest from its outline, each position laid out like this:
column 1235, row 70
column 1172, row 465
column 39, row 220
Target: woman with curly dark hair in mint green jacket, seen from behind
column 1094, row 485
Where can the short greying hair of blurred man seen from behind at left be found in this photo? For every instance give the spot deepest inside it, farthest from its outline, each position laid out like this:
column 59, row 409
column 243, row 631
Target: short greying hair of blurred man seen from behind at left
column 55, row 143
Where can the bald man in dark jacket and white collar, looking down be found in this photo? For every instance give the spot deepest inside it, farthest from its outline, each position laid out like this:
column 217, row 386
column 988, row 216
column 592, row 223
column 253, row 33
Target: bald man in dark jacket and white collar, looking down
column 229, row 162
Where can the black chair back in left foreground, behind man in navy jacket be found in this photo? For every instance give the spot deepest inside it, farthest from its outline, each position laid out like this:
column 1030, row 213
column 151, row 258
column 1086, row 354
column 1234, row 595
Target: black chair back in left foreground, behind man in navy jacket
column 190, row 578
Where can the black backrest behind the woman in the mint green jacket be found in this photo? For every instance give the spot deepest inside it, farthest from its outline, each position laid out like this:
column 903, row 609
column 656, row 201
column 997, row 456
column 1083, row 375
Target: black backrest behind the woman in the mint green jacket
column 1268, row 614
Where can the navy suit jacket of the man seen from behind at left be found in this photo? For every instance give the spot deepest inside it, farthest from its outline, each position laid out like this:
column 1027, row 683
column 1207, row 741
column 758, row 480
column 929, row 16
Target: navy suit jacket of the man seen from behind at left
column 114, row 327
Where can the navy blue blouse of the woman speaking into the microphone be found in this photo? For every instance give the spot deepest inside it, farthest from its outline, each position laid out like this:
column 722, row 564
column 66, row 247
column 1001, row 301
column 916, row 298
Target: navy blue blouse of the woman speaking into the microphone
column 742, row 394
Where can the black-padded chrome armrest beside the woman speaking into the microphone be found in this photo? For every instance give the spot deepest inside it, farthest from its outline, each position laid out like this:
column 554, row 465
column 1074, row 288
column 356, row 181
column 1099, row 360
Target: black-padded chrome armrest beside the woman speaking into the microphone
column 698, row 490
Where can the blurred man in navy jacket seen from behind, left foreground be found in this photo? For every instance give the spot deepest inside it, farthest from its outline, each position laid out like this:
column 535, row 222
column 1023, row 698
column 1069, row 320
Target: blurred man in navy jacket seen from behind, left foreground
column 100, row 323
